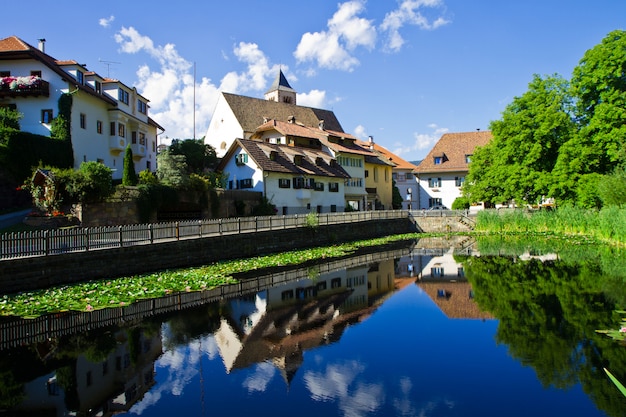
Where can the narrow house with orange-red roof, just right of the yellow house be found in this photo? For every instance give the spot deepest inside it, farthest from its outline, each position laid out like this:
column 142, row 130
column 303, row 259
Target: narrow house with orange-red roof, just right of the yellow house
column 402, row 172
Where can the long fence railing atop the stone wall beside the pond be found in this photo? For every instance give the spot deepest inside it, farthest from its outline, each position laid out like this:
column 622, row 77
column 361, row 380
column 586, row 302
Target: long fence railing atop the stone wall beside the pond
column 56, row 241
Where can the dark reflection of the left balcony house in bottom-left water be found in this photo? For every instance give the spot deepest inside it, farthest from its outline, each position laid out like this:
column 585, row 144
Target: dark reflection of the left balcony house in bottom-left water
column 86, row 387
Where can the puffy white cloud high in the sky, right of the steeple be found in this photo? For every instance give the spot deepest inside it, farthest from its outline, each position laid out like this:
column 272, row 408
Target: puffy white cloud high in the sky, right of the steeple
column 332, row 49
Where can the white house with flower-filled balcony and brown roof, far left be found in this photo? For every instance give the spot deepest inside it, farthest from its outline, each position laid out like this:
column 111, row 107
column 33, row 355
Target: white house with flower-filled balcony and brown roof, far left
column 106, row 114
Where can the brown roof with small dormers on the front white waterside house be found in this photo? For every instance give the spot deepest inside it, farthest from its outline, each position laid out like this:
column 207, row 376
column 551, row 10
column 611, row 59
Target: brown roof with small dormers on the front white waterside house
column 313, row 162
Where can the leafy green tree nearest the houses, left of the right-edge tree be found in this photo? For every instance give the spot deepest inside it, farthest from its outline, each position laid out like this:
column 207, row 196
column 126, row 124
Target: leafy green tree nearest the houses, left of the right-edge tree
column 517, row 163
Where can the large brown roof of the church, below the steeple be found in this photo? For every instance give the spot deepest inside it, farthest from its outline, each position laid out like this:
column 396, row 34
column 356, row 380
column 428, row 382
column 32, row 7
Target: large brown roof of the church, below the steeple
column 251, row 113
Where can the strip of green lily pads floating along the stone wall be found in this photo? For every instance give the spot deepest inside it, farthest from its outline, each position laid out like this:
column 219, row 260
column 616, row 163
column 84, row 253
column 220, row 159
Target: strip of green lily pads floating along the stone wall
column 118, row 292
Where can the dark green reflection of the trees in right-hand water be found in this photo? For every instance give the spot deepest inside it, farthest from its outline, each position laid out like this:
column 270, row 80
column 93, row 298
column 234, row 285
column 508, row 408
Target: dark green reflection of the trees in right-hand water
column 549, row 313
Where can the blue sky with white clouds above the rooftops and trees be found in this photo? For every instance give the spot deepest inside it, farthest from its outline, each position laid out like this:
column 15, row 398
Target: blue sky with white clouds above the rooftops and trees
column 404, row 72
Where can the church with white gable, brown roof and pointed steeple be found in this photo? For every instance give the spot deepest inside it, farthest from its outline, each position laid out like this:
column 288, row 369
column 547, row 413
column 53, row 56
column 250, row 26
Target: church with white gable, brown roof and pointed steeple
column 238, row 116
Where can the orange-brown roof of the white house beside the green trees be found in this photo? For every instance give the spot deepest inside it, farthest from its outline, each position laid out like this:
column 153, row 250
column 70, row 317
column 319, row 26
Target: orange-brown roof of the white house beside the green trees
column 453, row 149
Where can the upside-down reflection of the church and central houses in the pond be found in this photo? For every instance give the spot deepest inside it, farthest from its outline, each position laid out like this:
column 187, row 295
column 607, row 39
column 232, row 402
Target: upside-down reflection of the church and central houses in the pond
column 280, row 323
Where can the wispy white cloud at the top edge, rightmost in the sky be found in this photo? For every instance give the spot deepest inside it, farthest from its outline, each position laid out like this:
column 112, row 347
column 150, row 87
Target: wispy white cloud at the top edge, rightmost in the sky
column 408, row 13
